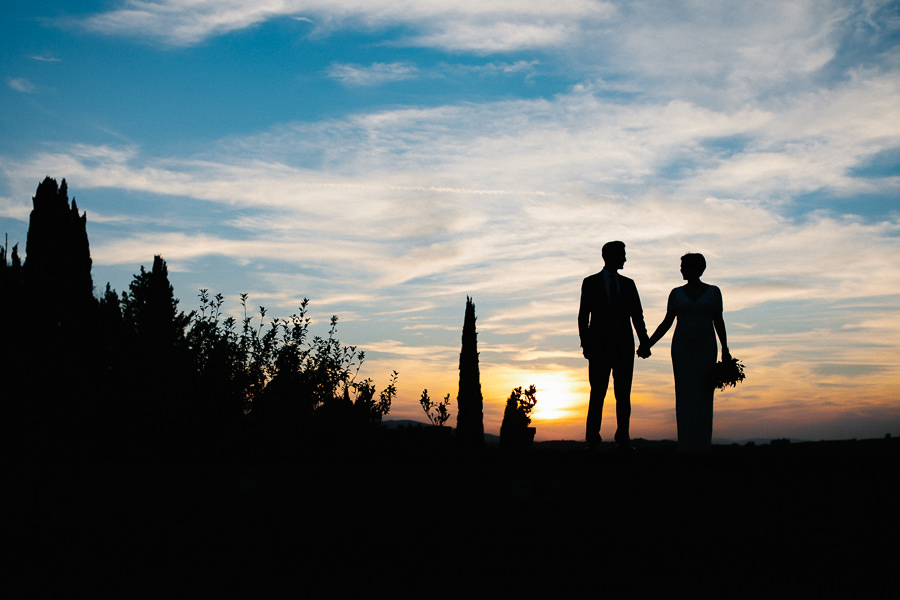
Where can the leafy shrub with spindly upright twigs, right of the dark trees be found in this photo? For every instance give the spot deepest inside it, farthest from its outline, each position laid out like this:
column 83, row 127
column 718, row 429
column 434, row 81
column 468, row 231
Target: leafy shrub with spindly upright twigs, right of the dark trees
column 274, row 374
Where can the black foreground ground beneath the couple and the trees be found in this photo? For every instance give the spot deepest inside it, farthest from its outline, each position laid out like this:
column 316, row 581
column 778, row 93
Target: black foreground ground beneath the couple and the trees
column 421, row 517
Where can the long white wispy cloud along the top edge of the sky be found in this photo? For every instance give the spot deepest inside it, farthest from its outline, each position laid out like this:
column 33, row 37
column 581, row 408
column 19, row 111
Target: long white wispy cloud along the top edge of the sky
column 493, row 25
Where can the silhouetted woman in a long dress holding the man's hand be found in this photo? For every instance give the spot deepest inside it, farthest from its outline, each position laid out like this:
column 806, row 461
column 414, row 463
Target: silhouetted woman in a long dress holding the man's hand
column 698, row 309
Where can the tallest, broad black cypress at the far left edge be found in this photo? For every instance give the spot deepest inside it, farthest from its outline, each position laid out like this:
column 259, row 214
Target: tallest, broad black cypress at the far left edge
column 48, row 308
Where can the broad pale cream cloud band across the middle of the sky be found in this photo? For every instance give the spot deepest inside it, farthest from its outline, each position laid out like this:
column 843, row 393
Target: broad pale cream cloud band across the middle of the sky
column 510, row 197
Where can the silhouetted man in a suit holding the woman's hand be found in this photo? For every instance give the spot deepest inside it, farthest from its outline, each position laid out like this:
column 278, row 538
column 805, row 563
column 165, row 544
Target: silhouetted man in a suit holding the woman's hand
column 609, row 306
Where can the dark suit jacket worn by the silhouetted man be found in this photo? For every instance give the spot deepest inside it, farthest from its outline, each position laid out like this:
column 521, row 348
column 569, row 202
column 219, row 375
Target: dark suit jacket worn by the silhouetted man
column 604, row 327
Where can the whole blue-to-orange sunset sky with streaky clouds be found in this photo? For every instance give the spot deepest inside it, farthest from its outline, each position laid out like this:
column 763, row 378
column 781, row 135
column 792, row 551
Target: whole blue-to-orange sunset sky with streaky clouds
column 388, row 159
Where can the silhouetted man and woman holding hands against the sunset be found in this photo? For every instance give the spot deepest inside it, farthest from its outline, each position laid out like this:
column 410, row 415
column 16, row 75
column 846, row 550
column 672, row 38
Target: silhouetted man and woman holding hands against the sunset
column 610, row 307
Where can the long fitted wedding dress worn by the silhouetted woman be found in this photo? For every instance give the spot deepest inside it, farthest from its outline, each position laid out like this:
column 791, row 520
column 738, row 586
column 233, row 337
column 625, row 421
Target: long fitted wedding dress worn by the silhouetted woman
column 694, row 351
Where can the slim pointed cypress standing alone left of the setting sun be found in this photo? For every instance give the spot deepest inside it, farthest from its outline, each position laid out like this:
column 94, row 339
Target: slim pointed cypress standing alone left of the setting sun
column 470, row 415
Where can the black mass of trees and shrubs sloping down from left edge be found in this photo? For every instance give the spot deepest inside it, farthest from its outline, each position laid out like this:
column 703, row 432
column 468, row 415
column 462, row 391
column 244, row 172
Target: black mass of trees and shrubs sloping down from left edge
column 131, row 371
